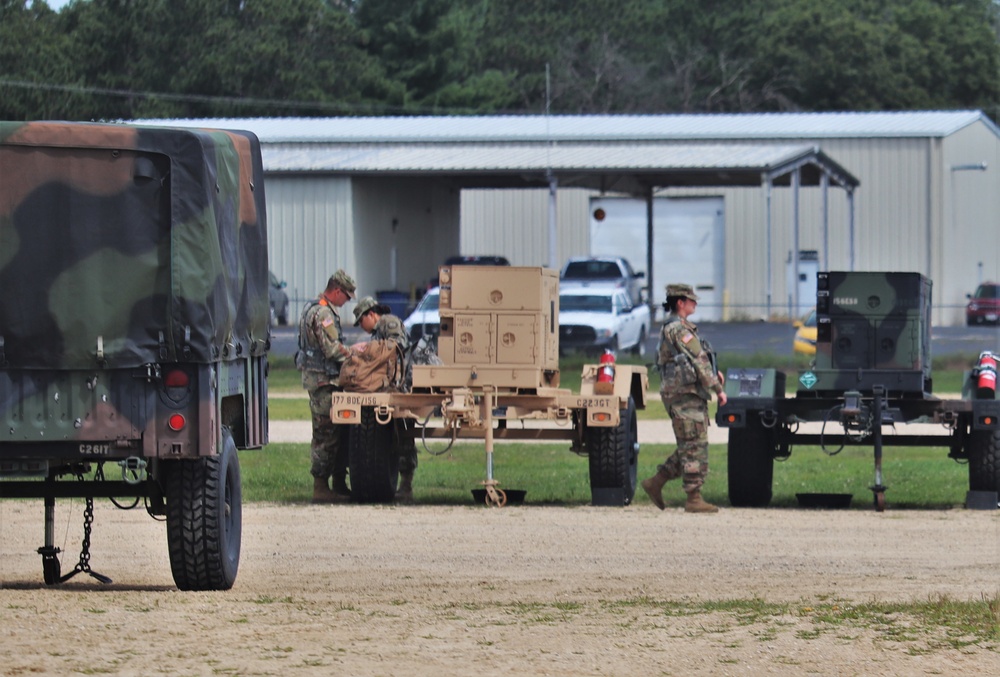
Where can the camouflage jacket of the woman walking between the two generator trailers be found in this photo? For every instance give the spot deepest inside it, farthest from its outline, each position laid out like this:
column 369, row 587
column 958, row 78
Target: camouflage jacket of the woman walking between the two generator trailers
column 685, row 361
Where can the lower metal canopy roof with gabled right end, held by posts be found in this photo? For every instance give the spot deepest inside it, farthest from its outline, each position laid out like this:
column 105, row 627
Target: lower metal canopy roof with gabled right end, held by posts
column 608, row 167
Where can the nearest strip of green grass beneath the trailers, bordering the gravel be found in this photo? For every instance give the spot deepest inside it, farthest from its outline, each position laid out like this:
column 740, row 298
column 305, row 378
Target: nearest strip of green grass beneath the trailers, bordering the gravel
column 551, row 474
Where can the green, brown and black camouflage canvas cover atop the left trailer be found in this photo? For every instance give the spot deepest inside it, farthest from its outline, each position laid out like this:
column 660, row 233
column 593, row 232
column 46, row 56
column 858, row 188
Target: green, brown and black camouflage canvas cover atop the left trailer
column 122, row 246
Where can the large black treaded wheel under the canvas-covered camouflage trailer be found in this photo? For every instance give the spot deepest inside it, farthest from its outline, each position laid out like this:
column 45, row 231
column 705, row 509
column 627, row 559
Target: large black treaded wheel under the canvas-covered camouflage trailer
column 205, row 518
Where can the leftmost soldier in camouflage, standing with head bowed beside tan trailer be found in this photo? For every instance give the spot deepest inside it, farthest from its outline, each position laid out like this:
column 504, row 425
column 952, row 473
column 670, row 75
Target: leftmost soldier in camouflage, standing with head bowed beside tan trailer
column 321, row 352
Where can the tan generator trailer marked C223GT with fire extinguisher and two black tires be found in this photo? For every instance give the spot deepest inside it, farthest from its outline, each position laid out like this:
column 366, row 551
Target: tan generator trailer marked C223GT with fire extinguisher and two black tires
column 499, row 344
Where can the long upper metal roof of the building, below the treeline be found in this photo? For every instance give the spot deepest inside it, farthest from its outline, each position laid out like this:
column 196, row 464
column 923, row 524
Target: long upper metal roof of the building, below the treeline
column 583, row 128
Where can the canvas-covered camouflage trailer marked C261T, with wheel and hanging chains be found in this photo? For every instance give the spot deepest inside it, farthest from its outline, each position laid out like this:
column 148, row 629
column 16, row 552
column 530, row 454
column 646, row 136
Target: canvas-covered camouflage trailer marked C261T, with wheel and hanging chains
column 134, row 324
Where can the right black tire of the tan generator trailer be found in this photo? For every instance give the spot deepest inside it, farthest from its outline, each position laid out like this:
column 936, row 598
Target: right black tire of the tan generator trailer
column 614, row 454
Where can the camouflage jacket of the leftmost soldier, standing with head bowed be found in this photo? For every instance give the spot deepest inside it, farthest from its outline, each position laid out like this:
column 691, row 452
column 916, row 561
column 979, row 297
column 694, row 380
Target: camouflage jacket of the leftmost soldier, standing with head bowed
column 321, row 351
